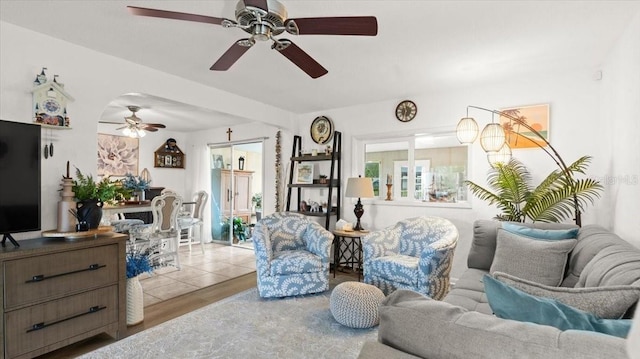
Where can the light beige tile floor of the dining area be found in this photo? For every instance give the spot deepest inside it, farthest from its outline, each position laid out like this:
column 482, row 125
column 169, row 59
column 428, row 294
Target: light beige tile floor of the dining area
column 218, row 264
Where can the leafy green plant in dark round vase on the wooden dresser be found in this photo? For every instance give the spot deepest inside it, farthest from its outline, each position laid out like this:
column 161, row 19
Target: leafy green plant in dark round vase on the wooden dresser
column 90, row 197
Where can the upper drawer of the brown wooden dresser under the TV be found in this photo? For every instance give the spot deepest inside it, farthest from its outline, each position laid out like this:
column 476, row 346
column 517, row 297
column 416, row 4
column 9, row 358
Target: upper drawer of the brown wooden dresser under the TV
column 54, row 275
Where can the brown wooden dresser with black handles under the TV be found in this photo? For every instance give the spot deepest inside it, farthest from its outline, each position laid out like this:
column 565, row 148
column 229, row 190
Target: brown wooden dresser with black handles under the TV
column 56, row 292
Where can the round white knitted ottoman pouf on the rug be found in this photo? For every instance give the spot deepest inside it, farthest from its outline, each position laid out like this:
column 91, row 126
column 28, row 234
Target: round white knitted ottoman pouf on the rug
column 355, row 304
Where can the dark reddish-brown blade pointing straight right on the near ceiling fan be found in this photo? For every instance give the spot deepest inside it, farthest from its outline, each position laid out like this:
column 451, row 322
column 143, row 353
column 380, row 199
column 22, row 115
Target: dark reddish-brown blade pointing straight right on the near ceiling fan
column 349, row 25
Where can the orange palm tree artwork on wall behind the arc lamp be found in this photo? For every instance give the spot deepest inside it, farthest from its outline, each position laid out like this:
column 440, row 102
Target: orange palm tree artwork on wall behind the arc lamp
column 536, row 116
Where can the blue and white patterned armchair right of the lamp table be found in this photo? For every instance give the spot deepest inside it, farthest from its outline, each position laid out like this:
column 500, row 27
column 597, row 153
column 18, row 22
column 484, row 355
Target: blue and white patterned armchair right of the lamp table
column 415, row 254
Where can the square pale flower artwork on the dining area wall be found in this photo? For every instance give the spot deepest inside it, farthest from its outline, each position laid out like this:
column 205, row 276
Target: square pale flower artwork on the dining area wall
column 117, row 155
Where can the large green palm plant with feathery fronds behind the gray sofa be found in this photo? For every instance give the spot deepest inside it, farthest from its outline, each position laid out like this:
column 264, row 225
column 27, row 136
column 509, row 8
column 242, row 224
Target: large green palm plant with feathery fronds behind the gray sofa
column 551, row 201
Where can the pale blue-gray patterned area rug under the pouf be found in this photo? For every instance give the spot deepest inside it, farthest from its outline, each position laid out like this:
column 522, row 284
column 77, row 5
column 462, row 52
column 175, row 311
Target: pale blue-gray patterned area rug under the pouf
column 246, row 326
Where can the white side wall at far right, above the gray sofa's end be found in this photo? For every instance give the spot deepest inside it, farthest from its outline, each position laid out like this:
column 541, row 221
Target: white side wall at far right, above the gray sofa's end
column 619, row 121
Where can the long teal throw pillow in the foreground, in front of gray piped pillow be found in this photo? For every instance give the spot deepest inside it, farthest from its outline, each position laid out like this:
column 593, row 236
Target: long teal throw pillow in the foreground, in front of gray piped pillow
column 511, row 303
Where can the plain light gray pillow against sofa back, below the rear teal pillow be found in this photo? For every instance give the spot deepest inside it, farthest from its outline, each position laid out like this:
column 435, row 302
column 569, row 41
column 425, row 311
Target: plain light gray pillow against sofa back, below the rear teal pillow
column 537, row 260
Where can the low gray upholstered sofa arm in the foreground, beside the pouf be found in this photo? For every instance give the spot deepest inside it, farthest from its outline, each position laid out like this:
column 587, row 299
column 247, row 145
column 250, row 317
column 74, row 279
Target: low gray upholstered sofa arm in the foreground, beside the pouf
column 432, row 329
